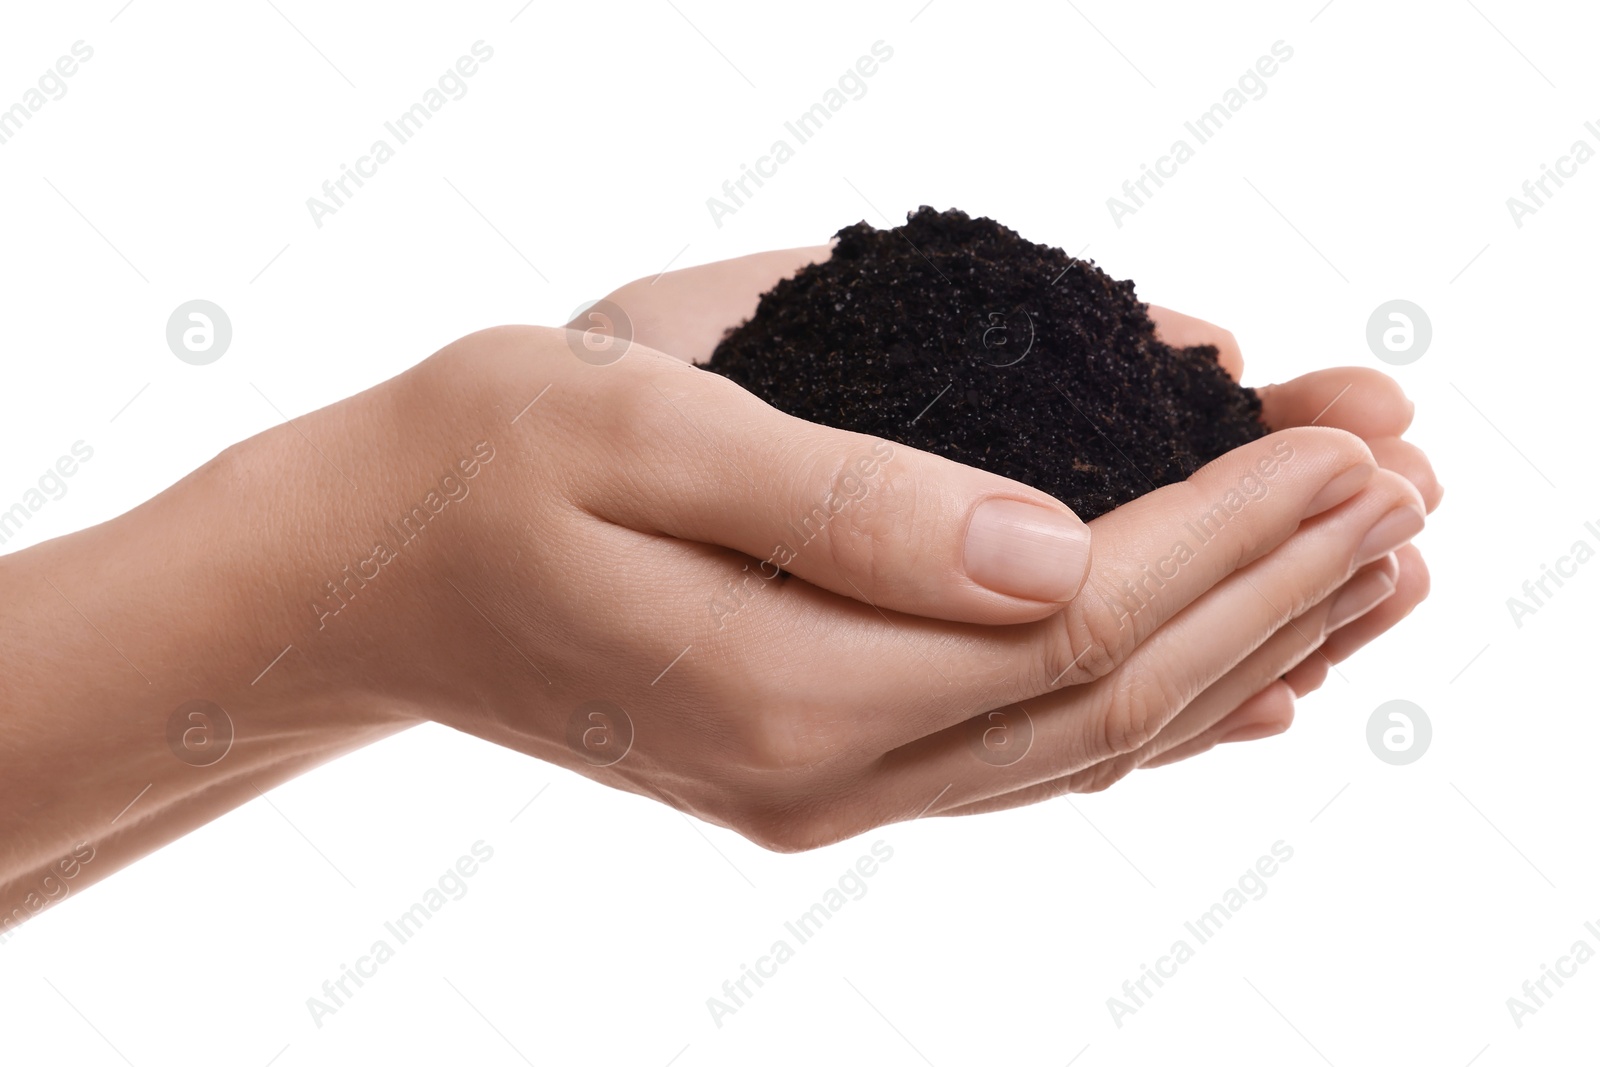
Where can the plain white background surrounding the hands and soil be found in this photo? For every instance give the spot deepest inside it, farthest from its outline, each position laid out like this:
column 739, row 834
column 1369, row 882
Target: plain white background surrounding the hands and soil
column 1377, row 167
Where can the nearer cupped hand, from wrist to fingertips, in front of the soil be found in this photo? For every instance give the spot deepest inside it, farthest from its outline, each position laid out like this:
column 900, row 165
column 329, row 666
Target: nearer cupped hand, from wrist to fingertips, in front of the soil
column 606, row 602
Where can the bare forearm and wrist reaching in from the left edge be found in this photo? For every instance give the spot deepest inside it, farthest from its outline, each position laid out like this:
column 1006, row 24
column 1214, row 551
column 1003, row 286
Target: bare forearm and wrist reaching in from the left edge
column 113, row 637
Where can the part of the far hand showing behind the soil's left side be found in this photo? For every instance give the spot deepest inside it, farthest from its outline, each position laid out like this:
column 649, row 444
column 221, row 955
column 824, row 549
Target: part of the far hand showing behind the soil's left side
column 687, row 313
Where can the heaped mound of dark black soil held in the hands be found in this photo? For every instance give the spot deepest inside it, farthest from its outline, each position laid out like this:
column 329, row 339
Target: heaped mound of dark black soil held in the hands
column 956, row 337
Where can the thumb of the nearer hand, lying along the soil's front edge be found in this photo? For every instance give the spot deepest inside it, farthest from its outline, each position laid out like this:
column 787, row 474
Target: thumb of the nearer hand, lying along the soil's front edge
column 863, row 518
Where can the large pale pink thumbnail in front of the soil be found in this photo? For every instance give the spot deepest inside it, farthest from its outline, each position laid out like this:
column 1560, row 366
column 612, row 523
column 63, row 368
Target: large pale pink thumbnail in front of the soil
column 1028, row 551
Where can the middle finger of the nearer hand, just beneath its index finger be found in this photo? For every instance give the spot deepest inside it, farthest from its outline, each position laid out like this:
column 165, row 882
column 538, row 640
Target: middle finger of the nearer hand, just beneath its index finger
column 1129, row 708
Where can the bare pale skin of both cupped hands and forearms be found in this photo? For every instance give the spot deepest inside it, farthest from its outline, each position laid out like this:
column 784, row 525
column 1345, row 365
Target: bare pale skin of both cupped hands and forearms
column 578, row 564
